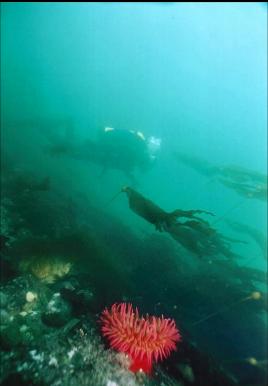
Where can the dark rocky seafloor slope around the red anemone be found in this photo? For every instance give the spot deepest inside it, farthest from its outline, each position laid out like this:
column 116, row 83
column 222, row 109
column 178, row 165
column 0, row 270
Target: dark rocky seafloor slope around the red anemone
column 58, row 273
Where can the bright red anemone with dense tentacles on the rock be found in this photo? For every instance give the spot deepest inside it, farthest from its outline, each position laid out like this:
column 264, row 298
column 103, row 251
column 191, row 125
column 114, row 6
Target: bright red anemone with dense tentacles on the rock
column 144, row 339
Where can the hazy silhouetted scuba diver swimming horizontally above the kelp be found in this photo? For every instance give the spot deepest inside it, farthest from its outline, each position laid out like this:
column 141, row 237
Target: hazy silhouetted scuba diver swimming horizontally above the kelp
column 120, row 149
